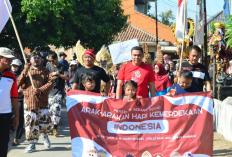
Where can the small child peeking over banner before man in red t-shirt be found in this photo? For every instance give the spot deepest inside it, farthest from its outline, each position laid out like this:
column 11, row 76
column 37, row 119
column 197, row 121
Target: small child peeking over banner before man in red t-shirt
column 130, row 89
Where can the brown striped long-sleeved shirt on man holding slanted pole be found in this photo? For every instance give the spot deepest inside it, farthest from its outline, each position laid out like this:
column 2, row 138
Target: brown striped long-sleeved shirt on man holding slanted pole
column 42, row 80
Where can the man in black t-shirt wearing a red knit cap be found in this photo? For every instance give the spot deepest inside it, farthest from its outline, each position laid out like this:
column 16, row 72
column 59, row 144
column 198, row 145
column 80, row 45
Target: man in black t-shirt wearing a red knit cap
column 100, row 74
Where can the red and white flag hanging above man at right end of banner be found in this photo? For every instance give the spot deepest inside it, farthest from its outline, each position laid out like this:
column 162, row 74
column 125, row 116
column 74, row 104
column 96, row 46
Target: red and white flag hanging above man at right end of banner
column 180, row 19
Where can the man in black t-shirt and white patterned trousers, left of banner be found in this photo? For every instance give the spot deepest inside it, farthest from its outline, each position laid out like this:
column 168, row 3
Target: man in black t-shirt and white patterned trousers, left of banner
column 59, row 75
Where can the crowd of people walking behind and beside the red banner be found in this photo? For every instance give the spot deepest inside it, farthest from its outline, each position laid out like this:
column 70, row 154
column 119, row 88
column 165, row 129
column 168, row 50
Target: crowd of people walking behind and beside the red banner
column 36, row 89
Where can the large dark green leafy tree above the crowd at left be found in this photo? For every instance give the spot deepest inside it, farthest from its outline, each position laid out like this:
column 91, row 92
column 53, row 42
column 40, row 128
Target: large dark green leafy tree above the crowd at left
column 64, row 22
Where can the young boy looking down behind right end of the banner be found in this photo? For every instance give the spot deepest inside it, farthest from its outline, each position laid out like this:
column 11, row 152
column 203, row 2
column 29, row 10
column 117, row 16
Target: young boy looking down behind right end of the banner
column 184, row 85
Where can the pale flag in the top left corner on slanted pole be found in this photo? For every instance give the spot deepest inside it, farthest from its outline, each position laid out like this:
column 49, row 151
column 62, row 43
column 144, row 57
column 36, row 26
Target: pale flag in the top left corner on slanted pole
column 4, row 16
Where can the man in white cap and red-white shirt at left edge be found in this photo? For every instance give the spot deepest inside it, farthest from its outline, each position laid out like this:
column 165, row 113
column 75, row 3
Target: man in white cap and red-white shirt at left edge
column 9, row 99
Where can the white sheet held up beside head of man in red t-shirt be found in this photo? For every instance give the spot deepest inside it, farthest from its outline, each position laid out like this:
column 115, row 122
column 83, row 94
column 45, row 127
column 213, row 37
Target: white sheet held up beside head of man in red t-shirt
column 121, row 52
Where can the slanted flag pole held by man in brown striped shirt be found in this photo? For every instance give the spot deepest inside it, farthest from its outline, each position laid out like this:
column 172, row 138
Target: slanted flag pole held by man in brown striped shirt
column 20, row 44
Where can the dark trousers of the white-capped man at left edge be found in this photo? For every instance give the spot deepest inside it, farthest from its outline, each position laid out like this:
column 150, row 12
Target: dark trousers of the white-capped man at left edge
column 5, row 123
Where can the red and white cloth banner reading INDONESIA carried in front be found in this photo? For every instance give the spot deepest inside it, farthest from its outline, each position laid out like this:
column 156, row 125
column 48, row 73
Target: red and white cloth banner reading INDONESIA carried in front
column 157, row 127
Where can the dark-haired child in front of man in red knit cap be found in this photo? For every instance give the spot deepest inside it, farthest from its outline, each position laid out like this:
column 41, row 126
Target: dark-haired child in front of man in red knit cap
column 87, row 82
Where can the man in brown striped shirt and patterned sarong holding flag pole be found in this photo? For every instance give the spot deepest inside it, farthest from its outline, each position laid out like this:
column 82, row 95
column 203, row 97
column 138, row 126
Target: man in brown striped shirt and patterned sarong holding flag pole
column 36, row 113
